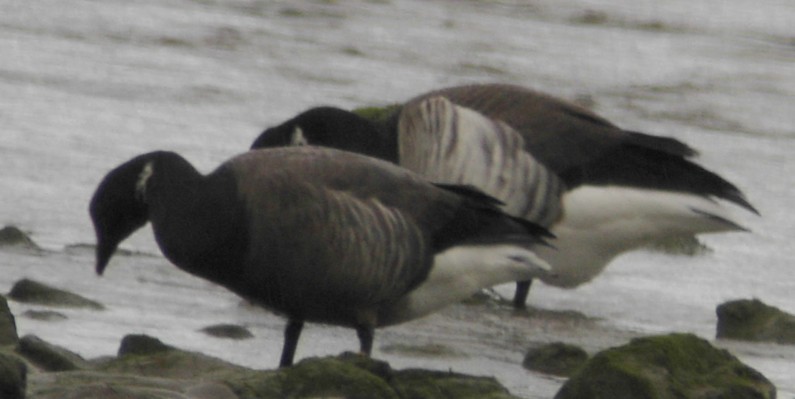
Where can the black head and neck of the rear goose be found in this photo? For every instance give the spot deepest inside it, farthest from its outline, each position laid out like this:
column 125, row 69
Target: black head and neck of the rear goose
column 331, row 127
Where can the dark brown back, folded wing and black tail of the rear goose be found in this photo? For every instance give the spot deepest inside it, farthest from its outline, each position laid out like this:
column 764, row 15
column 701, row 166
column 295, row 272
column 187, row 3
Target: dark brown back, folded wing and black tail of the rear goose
column 585, row 149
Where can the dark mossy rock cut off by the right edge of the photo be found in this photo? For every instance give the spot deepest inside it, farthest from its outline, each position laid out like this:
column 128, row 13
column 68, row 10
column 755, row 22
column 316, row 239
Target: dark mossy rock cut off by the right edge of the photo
column 752, row 320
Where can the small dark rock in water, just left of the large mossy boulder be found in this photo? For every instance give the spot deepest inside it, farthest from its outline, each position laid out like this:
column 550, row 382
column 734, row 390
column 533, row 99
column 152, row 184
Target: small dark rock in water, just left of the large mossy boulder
column 556, row 358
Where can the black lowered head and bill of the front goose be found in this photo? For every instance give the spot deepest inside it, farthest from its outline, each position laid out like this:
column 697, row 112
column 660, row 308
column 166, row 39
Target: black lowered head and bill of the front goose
column 118, row 207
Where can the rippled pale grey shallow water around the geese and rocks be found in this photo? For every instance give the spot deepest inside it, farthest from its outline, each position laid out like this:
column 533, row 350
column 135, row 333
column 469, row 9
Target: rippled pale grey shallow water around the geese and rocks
column 89, row 85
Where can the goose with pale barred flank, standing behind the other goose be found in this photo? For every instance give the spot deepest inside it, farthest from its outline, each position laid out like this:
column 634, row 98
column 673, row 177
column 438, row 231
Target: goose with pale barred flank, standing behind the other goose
column 602, row 190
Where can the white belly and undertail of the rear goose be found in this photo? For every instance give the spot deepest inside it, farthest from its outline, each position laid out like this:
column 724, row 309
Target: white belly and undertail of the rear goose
column 602, row 222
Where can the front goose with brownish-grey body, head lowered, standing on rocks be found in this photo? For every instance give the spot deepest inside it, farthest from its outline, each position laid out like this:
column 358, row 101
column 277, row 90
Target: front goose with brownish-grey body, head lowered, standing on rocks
column 318, row 235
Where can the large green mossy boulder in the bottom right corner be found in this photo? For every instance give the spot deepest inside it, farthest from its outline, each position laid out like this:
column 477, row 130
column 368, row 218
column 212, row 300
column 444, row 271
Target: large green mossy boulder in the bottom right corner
column 680, row 366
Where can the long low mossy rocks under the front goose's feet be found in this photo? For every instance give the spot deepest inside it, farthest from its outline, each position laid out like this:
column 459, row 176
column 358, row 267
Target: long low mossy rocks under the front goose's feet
column 147, row 369
